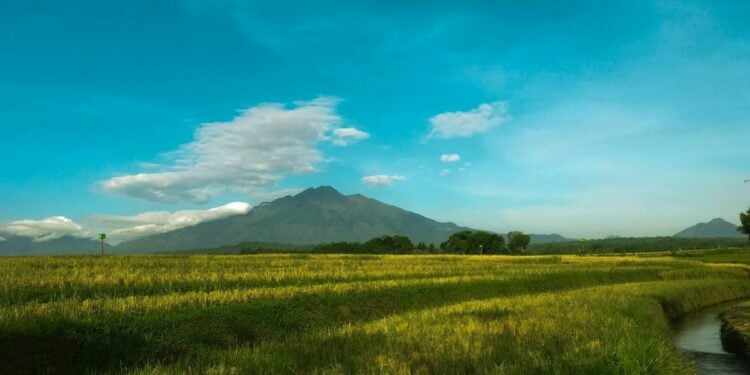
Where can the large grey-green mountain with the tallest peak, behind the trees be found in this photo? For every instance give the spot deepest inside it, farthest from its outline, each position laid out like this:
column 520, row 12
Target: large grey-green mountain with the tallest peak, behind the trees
column 316, row 215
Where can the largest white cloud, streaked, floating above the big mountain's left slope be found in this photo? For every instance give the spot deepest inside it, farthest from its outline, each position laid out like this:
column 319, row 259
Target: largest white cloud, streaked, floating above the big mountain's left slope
column 253, row 150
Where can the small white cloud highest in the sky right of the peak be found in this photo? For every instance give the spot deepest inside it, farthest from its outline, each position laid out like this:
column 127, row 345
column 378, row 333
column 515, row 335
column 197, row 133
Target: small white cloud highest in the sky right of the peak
column 466, row 124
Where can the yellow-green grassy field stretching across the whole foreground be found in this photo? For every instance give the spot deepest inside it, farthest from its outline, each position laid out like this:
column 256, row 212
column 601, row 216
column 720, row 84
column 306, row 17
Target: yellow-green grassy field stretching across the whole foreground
column 337, row 314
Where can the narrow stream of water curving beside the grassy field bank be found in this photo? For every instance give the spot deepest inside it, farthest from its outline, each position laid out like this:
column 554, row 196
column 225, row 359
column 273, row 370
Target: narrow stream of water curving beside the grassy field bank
column 698, row 335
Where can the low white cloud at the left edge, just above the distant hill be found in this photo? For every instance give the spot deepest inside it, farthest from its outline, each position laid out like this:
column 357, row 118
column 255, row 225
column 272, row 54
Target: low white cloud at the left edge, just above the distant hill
column 45, row 229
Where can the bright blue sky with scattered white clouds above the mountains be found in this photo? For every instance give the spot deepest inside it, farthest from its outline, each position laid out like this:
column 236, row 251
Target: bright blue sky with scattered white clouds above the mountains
column 582, row 118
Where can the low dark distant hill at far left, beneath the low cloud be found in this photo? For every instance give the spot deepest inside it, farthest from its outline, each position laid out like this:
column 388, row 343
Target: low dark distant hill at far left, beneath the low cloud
column 20, row 245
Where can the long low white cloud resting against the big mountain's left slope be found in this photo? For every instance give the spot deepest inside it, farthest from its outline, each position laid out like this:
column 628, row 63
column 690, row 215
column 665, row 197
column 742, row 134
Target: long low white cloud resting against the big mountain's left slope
column 123, row 228
